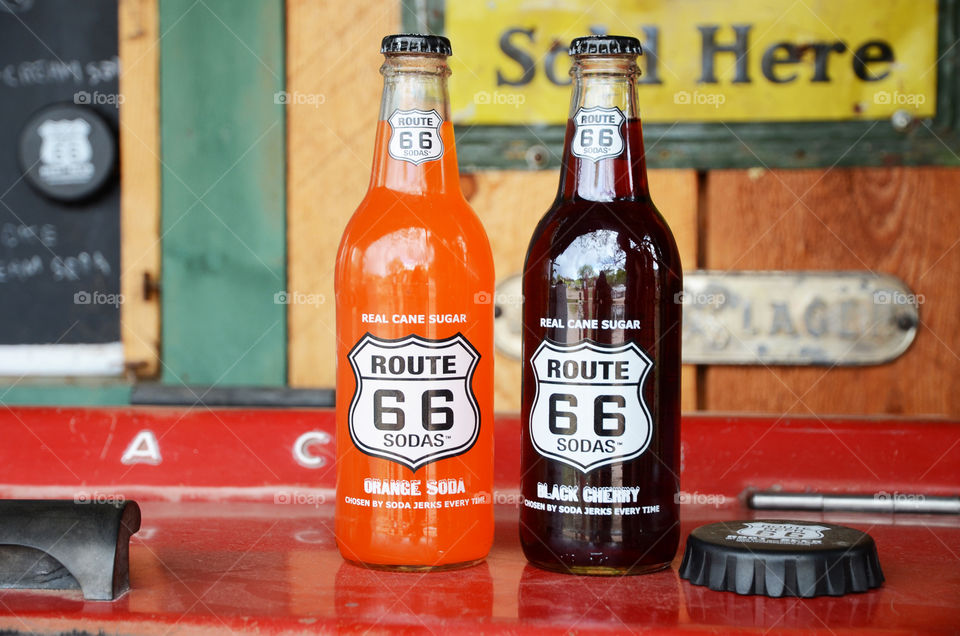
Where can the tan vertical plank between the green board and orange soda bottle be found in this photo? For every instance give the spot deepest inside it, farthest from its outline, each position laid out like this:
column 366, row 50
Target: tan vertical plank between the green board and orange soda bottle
column 330, row 148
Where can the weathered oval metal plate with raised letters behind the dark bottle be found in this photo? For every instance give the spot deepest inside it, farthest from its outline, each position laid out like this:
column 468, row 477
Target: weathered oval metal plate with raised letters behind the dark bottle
column 844, row 318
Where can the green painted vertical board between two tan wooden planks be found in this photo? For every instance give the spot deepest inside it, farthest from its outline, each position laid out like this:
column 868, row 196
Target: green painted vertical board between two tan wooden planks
column 223, row 192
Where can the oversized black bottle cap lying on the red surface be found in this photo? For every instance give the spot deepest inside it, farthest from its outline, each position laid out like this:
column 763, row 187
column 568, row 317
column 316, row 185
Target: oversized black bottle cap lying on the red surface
column 778, row 557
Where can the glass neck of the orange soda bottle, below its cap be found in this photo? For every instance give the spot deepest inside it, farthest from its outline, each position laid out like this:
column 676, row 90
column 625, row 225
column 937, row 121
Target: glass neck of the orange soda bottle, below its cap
column 415, row 150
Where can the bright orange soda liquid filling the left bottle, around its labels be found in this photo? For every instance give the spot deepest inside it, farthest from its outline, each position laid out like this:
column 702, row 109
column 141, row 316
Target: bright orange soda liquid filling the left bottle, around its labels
column 419, row 251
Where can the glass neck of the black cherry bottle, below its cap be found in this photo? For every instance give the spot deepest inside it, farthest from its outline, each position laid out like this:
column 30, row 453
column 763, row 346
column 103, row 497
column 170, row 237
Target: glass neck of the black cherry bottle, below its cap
column 603, row 158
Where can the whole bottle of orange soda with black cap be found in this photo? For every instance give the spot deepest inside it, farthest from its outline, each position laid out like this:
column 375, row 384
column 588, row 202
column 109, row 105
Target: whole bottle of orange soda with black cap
column 414, row 279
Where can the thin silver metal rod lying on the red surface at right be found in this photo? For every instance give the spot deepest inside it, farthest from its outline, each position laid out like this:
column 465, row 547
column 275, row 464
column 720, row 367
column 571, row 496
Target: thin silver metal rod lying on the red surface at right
column 879, row 502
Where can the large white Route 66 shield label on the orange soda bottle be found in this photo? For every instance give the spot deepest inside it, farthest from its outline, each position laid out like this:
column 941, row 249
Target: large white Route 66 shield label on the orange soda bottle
column 414, row 401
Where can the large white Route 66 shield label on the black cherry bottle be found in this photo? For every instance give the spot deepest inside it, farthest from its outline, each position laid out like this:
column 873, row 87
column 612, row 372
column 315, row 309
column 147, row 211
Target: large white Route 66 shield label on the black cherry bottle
column 589, row 410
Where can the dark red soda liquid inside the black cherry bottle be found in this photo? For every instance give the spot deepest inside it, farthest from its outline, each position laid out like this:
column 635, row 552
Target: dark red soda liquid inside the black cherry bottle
column 626, row 267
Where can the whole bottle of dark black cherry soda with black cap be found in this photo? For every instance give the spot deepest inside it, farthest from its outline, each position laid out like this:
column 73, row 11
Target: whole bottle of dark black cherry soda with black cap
column 601, row 343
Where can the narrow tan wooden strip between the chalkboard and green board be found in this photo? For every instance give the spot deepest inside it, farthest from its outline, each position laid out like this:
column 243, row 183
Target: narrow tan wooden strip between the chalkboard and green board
column 140, row 184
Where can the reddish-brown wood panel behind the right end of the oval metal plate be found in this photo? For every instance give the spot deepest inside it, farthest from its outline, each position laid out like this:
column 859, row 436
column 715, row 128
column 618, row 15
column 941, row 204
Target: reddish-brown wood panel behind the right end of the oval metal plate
column 896, row 220
